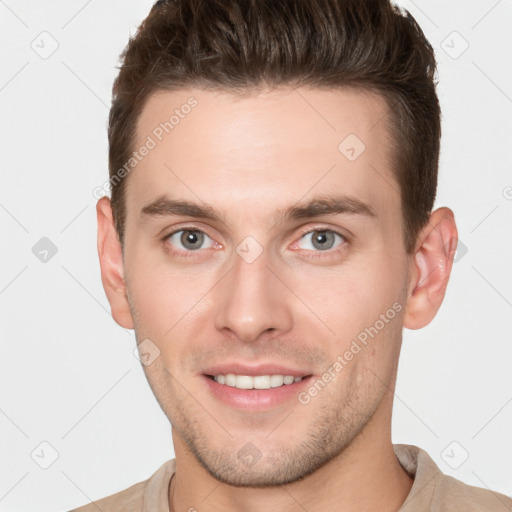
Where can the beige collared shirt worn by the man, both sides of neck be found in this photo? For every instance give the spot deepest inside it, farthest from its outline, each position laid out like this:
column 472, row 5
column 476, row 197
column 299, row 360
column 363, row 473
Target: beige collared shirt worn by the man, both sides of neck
column 431, row 491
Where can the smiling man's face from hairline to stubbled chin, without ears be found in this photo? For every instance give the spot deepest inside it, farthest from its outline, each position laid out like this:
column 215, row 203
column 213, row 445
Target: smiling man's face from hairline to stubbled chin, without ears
column 257, row 292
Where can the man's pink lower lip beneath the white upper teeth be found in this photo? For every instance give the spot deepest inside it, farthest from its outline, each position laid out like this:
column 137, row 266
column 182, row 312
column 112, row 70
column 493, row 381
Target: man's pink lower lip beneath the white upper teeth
column 255, row 399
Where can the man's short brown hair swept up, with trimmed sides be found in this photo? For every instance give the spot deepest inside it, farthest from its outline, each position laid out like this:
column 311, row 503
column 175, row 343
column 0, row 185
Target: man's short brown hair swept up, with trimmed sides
column 241, row 46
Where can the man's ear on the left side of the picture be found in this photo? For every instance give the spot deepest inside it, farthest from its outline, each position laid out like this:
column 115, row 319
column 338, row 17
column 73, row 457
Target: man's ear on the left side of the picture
column 111, row 263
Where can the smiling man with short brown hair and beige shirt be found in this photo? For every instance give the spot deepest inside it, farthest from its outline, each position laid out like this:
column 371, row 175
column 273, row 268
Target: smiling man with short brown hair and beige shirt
column 273, row 168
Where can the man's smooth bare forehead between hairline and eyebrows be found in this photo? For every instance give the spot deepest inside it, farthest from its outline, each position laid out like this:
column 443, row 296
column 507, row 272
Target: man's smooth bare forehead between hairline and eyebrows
column 265, row 150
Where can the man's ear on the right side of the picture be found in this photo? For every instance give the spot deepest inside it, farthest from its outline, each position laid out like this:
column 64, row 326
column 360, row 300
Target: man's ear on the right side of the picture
column 430, row 270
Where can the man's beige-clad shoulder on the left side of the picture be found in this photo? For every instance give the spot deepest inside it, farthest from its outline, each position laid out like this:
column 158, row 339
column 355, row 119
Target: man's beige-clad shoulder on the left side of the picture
column 149, row 494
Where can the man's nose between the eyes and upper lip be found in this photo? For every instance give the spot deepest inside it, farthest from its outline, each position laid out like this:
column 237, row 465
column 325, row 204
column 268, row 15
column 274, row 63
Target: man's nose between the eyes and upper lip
column 251, row 300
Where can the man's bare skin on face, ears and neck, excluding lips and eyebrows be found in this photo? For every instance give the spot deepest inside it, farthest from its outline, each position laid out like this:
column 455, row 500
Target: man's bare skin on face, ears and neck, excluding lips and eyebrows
column 249, row 158
